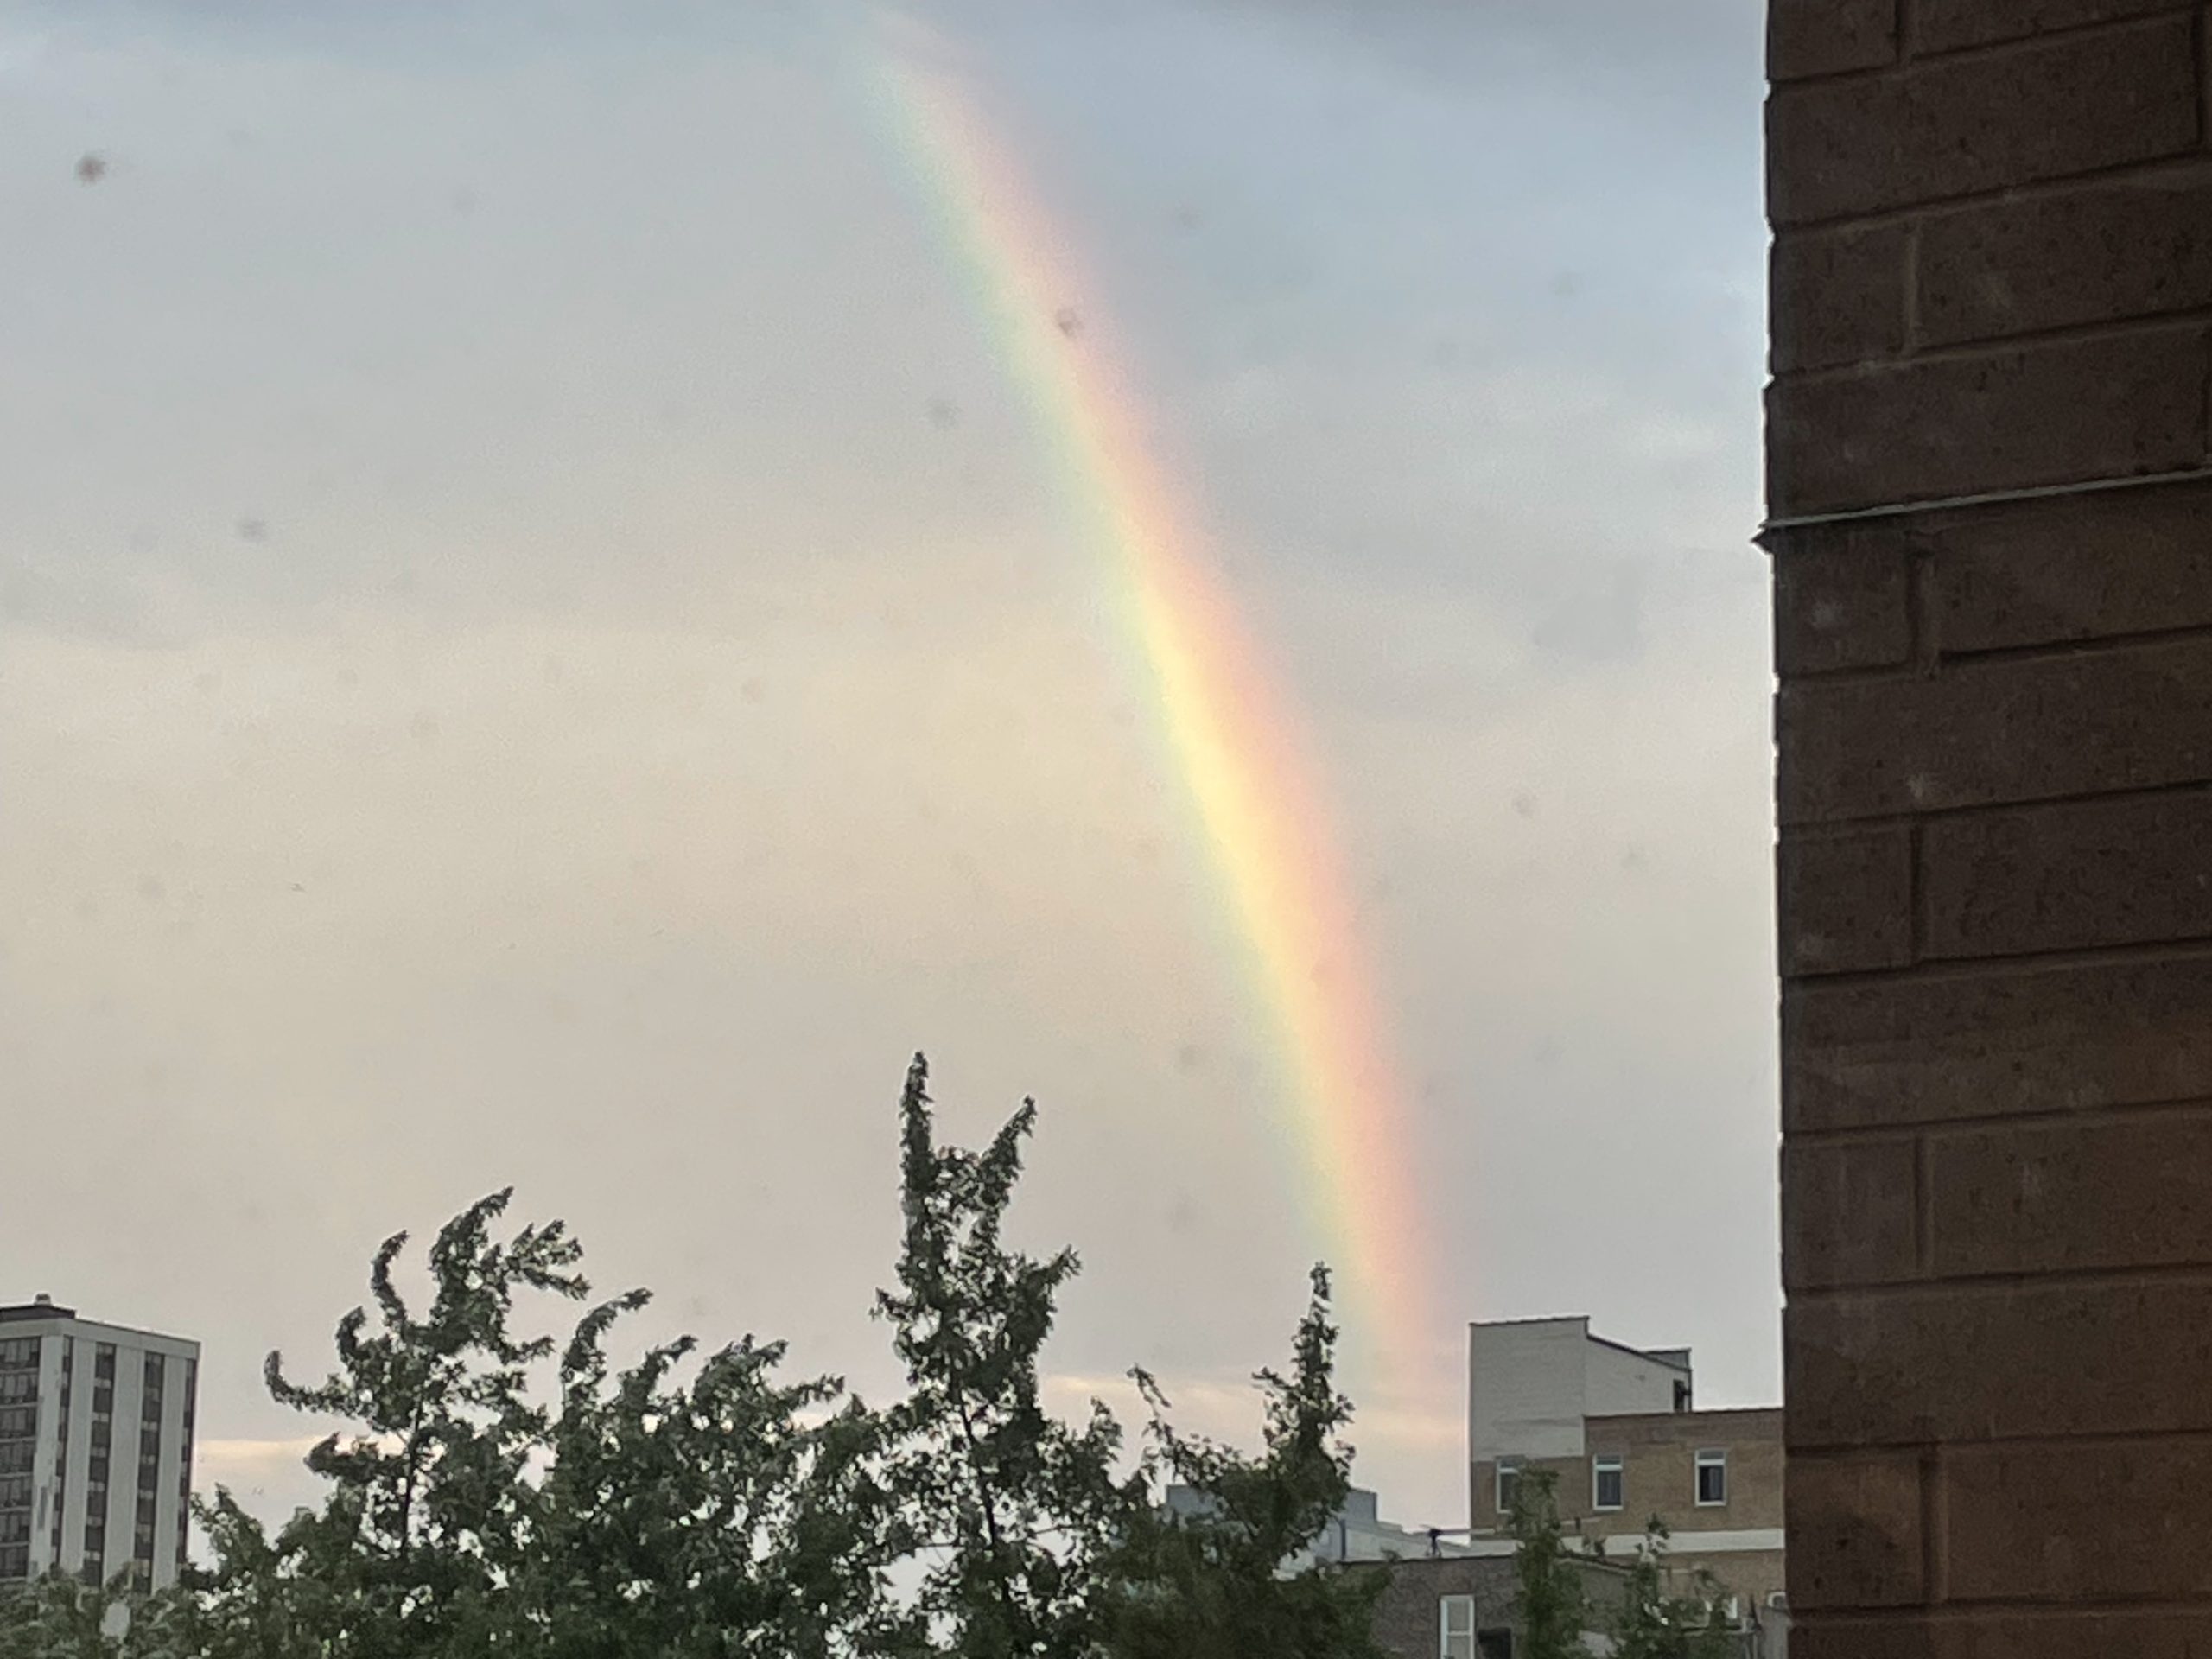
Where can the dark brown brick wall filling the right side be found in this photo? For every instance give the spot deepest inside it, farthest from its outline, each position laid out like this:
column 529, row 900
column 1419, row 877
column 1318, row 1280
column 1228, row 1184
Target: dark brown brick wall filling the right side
column 1994, row 280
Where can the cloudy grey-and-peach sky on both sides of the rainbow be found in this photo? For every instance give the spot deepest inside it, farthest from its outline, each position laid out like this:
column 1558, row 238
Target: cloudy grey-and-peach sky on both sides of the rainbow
column 539, row 647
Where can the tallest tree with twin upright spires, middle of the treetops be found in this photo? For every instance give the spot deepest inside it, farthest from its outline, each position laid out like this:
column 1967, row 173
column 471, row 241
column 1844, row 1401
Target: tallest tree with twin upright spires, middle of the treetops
column 1010, row 1512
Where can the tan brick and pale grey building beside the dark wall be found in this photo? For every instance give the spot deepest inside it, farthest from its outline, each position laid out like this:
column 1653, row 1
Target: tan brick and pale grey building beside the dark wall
column 1623, row 1434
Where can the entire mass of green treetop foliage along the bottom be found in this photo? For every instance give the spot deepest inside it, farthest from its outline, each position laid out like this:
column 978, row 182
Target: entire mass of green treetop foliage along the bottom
column 497, row 1492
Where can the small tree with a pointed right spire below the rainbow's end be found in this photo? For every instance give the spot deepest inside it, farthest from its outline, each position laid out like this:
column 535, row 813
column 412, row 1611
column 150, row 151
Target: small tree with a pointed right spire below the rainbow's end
column 1215, row 1583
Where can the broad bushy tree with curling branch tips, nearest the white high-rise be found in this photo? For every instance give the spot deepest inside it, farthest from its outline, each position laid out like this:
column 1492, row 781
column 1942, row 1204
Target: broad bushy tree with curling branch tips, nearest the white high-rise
column 729, row 1516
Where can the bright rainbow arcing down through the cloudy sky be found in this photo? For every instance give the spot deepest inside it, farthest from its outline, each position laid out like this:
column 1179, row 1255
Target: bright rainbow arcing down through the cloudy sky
column 1229, row 729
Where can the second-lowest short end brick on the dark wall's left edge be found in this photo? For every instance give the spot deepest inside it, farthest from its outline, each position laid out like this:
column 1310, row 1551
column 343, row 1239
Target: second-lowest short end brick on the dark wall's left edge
column 1848, row 1213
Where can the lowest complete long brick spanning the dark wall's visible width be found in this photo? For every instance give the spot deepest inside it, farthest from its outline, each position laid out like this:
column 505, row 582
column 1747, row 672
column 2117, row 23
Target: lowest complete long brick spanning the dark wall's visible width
column 2007, row 1361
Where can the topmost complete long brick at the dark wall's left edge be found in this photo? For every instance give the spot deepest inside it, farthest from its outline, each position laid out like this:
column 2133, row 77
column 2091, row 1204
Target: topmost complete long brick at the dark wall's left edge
column 1963, row 127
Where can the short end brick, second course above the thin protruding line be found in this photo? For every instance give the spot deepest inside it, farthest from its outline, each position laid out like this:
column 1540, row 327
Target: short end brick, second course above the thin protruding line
column 1837, row 298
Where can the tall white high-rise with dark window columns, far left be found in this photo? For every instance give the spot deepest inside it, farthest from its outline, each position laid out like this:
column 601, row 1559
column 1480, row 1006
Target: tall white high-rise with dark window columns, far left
column 96, row 1448
